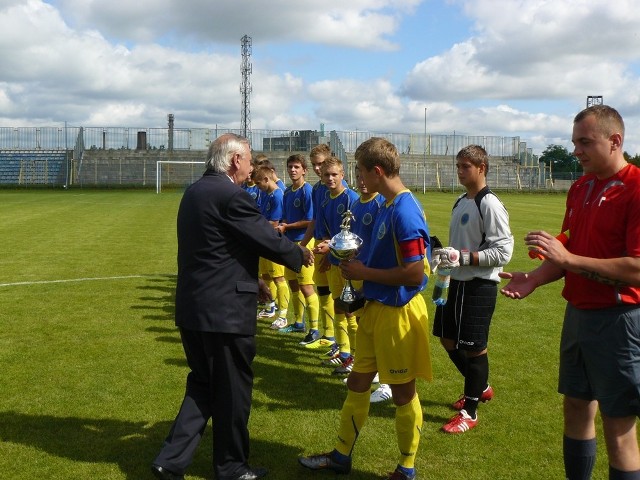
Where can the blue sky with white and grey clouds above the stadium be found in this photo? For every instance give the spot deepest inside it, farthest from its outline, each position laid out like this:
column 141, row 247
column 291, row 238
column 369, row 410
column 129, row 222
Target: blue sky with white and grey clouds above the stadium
column 475, row 67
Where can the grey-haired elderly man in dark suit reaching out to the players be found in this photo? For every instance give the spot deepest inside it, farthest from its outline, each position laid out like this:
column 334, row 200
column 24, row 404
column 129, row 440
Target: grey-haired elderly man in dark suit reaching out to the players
column 221, row 235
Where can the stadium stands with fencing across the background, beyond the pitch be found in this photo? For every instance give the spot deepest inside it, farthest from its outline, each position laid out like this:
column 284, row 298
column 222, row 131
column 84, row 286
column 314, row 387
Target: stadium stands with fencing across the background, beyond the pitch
column 158, row 158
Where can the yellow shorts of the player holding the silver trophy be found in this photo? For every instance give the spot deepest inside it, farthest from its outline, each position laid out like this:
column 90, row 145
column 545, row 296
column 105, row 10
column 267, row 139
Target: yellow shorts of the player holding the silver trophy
column 394, row 341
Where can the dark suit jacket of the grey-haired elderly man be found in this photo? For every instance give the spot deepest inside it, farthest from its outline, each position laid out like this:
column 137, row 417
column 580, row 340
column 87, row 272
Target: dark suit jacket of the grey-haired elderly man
column 221, row 235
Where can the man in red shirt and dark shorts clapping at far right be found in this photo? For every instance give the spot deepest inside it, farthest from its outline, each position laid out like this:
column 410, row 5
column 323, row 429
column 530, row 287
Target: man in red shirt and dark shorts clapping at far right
column 600, row 344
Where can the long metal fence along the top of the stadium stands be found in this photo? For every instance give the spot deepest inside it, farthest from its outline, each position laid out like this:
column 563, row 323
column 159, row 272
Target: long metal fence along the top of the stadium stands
column 114, row 138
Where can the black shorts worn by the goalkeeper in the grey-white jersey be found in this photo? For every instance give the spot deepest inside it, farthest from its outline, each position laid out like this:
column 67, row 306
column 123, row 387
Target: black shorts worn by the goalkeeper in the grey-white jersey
column 466, row 316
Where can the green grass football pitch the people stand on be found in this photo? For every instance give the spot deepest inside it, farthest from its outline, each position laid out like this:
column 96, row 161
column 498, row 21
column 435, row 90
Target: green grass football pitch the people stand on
column 92, row 370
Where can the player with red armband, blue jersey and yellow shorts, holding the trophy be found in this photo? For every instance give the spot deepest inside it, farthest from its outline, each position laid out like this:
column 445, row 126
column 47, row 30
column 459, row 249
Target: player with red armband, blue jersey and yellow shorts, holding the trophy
column 393, row 334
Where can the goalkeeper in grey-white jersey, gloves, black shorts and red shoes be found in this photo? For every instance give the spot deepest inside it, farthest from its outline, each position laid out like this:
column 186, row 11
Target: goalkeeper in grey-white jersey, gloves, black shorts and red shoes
column 480, row 244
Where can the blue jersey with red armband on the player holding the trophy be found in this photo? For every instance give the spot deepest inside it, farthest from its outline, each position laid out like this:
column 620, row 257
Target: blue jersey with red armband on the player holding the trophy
column 400, row 220
